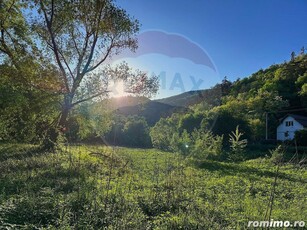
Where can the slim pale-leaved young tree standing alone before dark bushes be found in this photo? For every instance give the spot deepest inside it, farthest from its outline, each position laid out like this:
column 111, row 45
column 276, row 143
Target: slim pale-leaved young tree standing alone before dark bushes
column 237, row 145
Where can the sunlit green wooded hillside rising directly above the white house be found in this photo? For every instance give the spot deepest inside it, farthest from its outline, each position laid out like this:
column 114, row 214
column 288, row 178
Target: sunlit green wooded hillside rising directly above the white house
column 287, row 80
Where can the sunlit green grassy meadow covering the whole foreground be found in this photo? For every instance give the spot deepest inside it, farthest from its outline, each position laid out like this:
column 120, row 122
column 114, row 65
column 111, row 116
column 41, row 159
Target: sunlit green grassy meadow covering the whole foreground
column 92, row 187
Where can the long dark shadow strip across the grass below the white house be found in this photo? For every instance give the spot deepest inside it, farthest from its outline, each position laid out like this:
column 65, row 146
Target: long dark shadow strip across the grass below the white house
column 249, row 172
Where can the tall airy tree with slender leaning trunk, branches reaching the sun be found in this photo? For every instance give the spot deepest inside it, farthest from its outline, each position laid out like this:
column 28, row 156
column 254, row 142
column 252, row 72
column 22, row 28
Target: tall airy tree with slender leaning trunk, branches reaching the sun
column 76, row 37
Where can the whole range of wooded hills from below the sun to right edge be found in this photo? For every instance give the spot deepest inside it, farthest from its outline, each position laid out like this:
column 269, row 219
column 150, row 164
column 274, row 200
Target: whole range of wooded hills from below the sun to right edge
column 282, row 85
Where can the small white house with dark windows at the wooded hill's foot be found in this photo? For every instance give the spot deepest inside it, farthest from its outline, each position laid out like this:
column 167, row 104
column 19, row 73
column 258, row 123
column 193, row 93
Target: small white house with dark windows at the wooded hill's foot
column 289, row 125
